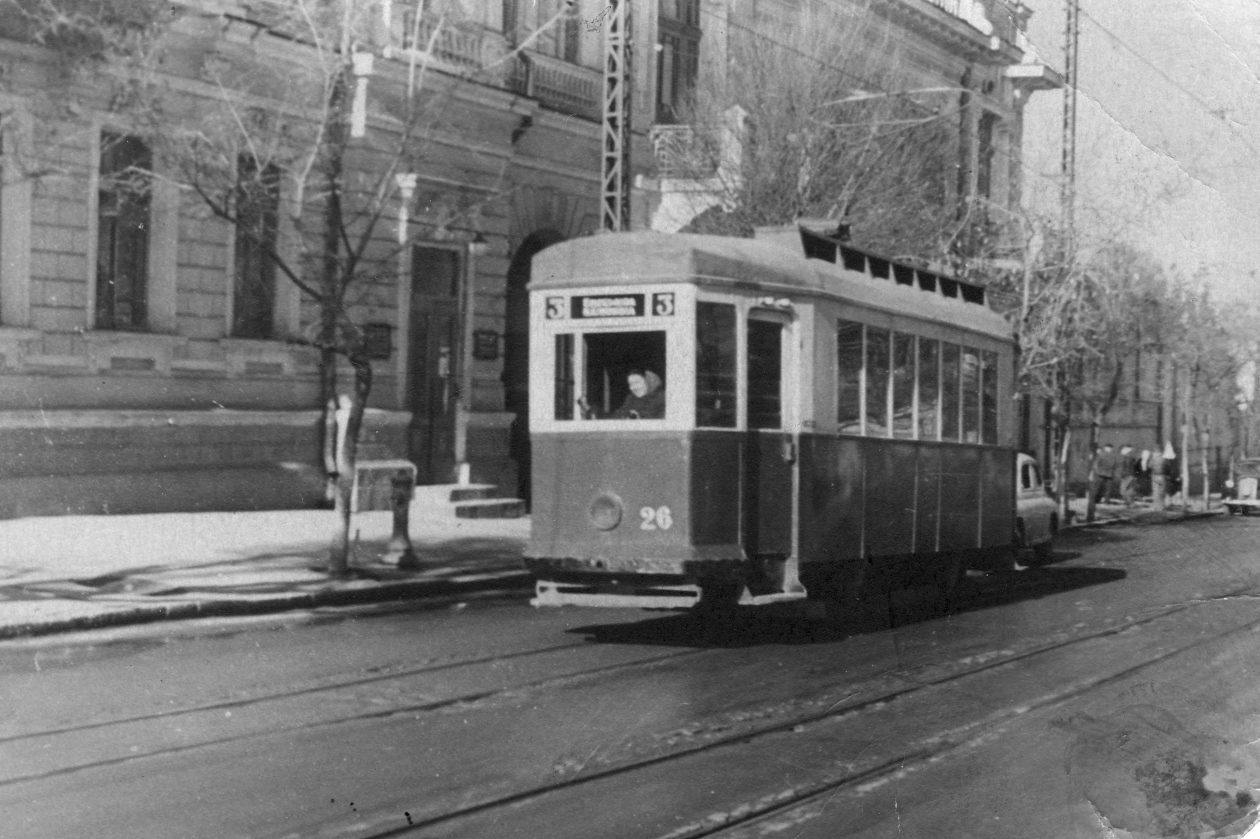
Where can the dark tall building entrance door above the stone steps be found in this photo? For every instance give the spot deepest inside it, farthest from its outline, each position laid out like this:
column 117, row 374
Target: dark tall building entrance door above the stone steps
column 433, row 362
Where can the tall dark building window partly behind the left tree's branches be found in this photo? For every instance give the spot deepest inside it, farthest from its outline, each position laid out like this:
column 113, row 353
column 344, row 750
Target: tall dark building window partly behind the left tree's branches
column 258, row 216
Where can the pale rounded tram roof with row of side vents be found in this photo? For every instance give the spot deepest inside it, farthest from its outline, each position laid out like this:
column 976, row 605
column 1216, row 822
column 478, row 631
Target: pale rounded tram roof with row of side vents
column 652, row 258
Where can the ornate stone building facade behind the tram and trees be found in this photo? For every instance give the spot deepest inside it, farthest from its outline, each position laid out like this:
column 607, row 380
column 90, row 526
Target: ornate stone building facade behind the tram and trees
column 152, row 358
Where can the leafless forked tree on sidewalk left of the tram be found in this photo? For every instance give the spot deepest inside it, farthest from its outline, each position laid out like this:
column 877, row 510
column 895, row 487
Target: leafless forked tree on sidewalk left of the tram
column 289, row 149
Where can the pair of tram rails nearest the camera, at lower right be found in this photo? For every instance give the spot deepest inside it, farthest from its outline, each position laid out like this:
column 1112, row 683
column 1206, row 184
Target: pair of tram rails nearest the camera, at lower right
column 784, row 801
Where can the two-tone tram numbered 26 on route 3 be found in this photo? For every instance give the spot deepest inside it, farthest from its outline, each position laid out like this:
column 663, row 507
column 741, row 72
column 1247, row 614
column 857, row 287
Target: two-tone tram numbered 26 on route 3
column 721, row 420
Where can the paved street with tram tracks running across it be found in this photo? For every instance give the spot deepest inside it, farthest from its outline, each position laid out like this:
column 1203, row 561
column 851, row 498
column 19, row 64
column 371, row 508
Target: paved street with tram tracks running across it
column 1109, row 691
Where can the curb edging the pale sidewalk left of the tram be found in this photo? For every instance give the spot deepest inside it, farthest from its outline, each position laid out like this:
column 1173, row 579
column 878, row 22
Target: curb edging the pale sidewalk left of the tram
column 419, row 590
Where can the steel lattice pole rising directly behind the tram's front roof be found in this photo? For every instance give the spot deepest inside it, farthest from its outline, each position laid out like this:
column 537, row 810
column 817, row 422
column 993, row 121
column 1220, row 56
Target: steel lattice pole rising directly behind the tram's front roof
column 616, row 182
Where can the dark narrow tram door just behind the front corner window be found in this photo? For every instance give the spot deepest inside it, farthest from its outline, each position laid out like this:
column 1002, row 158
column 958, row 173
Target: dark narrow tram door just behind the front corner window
column 769, row 458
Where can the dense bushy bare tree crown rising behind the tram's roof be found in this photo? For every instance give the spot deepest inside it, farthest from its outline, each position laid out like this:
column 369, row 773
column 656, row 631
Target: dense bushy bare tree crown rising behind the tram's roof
column 821, row 118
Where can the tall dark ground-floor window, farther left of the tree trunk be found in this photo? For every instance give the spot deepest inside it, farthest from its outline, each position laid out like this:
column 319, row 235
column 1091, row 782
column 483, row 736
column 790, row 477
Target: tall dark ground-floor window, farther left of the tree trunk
column 123, row 239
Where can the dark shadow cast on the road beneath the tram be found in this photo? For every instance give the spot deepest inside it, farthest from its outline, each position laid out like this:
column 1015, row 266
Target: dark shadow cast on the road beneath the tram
column 801, row 623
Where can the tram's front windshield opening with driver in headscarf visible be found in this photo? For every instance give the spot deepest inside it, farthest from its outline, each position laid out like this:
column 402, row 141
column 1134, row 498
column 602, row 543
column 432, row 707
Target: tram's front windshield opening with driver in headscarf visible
column 624, row 376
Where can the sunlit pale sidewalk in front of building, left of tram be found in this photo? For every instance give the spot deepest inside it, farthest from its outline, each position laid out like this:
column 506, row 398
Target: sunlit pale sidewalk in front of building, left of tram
column 64, row 574
